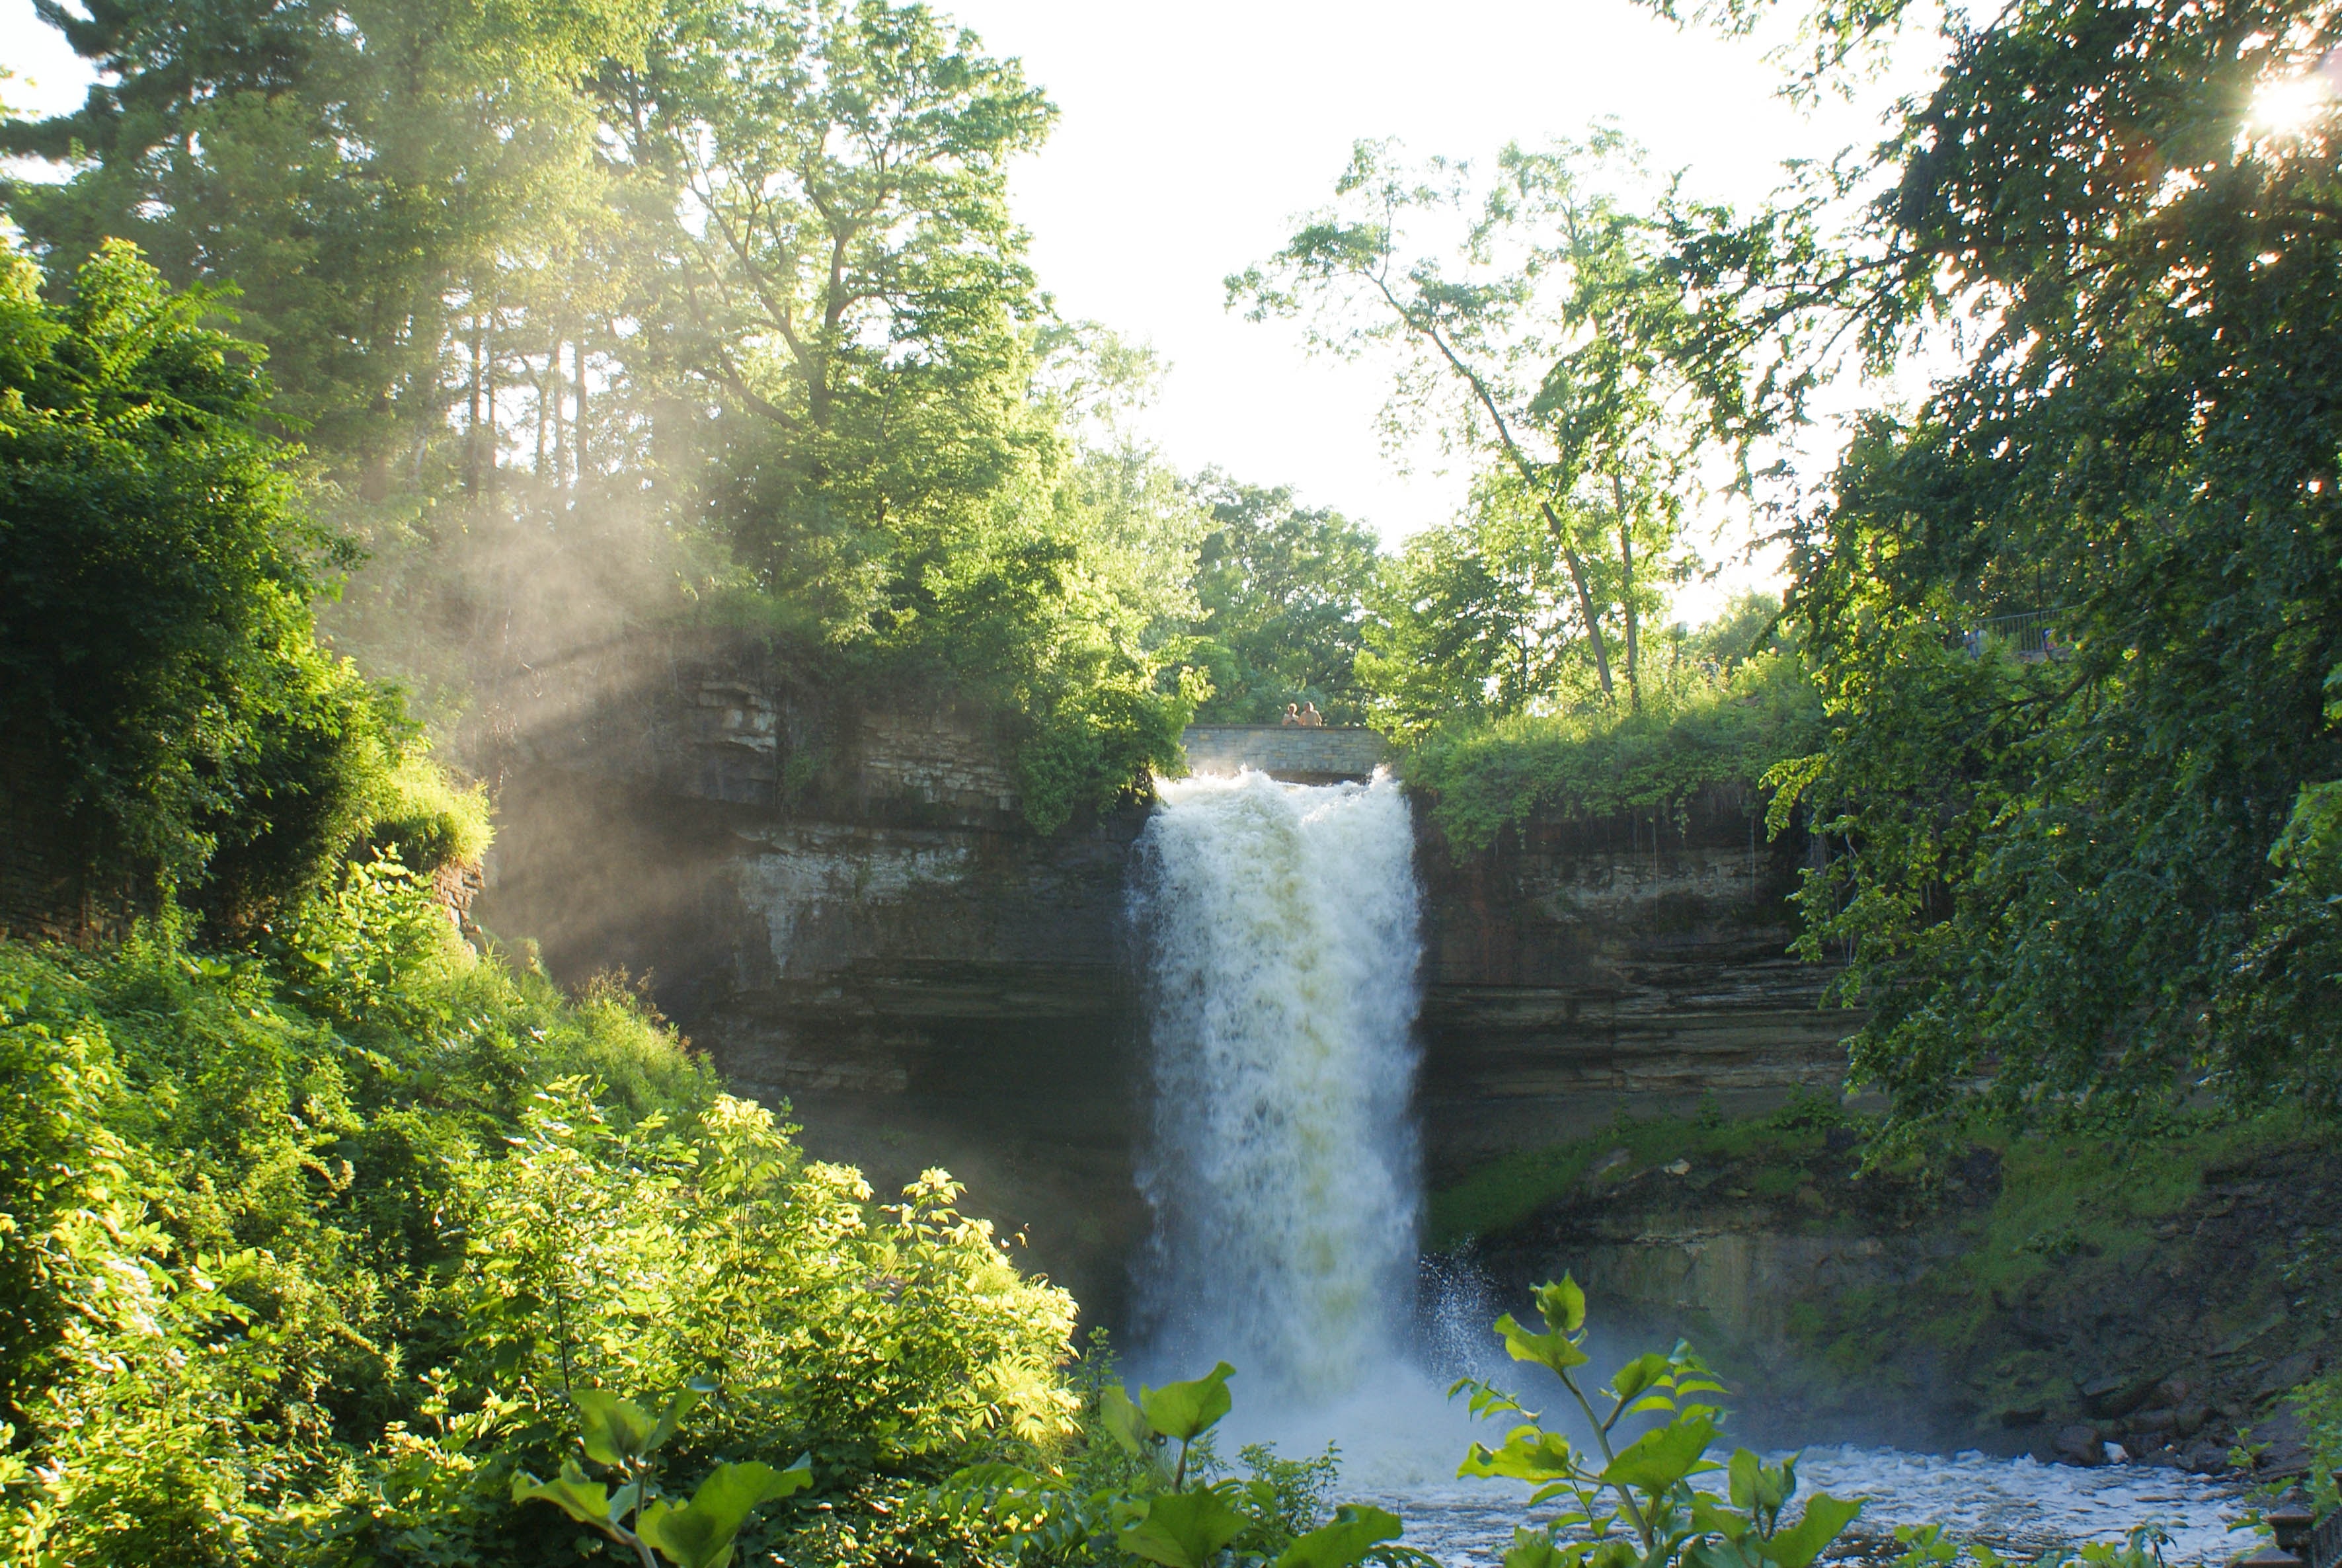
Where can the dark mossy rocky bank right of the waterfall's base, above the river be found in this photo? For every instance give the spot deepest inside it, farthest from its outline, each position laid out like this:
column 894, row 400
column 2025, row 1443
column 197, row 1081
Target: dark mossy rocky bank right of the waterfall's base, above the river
column 2071, row 1300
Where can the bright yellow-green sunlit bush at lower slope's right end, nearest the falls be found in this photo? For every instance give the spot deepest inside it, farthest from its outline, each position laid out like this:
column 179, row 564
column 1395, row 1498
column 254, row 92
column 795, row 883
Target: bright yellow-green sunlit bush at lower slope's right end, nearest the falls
column 655, row 1255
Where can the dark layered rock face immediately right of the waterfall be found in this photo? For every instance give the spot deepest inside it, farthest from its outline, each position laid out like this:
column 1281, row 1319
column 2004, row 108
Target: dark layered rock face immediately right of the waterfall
column 1589, row 969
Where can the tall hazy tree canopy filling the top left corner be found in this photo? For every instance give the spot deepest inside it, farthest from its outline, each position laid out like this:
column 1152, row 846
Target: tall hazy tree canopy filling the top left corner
column 348, row 168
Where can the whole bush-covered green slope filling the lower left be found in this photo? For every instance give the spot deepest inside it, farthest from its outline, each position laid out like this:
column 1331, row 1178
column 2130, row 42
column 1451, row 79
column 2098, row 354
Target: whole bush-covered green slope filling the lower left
column 306, row 1257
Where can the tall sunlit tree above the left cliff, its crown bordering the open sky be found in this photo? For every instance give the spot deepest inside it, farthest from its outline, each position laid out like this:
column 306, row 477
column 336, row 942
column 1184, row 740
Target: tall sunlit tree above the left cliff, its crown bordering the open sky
column 851, row 278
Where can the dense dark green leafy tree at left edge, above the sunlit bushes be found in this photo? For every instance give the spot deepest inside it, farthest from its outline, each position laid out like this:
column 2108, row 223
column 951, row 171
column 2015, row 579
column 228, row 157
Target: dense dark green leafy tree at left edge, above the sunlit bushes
column 156, row 643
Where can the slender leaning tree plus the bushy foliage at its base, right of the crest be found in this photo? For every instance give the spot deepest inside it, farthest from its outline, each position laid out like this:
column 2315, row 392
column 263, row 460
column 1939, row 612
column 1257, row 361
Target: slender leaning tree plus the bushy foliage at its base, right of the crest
column 1561, row 346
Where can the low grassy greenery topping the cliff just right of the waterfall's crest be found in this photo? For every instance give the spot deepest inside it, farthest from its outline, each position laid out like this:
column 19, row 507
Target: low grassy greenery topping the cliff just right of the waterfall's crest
column 1697, row 732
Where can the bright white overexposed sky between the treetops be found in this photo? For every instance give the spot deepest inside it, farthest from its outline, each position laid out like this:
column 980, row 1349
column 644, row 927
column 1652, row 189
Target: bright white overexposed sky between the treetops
column 1193, row 135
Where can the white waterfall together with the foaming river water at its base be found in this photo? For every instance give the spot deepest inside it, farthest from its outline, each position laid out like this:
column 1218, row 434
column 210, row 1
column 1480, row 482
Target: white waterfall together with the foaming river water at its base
column 1280, row 932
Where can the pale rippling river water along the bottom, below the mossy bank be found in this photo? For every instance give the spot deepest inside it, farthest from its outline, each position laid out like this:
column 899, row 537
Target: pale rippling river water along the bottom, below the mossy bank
column 2015, row 1506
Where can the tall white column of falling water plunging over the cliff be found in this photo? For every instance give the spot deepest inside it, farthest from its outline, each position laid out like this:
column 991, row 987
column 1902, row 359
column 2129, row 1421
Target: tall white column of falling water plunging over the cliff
column 1280, row 934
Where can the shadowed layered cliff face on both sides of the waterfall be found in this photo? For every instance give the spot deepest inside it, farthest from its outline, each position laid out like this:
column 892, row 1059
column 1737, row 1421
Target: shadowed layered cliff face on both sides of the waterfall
column 849, row 915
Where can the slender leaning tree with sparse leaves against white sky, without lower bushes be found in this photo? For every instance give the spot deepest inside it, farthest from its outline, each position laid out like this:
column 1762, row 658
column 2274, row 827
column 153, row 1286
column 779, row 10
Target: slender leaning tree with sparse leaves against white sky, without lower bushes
column 1554, row 350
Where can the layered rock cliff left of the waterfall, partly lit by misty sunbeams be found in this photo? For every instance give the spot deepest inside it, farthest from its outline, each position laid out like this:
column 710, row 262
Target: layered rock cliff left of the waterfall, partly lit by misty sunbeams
column 847, row 911
